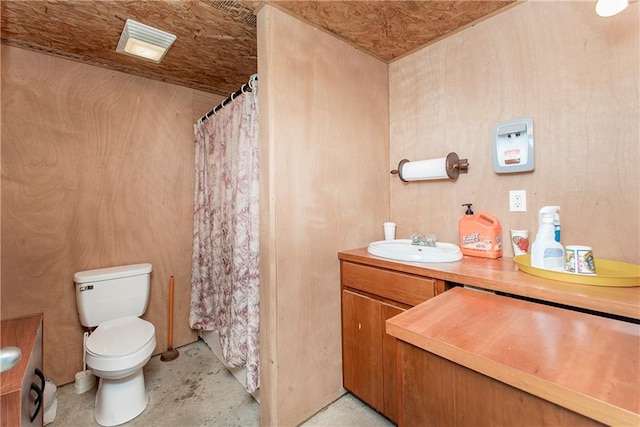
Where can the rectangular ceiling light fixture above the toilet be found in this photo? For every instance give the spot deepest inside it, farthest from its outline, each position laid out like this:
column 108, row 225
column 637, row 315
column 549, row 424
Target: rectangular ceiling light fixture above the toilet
column 144, row 41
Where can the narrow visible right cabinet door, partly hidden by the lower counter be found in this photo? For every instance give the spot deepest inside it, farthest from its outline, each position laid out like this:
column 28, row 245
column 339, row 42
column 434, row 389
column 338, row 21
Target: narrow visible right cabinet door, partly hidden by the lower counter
column 389, row 362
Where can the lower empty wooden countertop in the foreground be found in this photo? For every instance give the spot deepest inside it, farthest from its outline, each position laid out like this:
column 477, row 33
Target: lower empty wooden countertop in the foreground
column 588, row 364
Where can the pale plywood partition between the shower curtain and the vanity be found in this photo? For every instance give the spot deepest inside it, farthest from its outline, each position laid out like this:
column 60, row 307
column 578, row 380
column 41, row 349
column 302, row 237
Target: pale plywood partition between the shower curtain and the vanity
column 324, row 151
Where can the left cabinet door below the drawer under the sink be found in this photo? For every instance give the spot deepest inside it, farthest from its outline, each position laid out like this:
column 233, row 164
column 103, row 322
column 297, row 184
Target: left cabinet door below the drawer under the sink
column 362, row 331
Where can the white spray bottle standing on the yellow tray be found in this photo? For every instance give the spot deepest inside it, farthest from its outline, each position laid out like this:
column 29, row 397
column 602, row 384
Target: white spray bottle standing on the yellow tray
column 546, row 253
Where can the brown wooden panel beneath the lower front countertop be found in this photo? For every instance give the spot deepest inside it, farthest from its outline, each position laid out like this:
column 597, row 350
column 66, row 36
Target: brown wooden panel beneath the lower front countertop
column 438, row 392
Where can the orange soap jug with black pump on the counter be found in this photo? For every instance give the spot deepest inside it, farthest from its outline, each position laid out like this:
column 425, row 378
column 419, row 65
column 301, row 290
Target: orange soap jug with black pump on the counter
column 480, row 235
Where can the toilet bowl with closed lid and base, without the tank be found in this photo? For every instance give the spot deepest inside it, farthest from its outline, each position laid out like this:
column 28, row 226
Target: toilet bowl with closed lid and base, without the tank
column 116, row 353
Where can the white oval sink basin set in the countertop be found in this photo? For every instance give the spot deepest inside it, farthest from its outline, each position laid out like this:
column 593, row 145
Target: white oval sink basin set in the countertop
column 403, row 250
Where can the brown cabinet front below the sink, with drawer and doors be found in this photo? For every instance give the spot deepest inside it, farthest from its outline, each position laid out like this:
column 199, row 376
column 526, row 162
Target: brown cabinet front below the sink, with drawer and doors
column 370, row 296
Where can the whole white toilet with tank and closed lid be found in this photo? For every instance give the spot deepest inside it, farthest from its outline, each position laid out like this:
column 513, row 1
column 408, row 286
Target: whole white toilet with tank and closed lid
column 111, row 300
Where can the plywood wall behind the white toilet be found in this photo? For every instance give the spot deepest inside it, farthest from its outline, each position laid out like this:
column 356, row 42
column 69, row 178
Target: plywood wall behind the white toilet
column 97, row 170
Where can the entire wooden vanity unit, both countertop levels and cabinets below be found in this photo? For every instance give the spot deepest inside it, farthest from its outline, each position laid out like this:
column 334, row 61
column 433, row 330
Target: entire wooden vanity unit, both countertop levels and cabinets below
column 462, row 355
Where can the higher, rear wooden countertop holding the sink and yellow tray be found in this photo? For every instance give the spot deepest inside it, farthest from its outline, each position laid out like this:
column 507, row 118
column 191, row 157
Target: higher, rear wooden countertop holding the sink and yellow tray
column 502, row 274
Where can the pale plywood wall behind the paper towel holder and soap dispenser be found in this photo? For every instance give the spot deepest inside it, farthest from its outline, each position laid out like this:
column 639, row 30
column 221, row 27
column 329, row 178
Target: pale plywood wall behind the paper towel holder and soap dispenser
column 575, row 74
